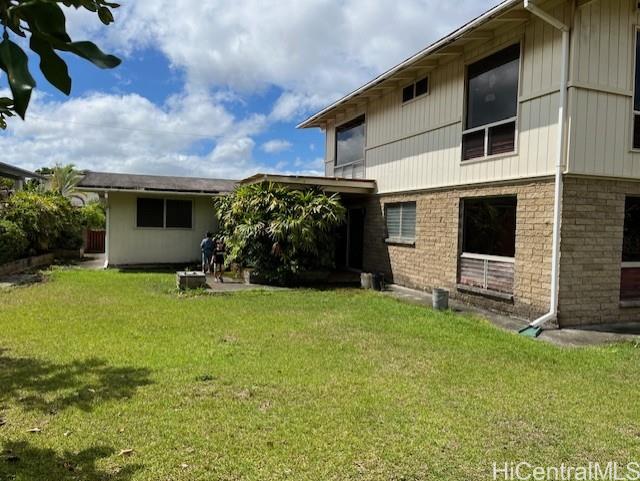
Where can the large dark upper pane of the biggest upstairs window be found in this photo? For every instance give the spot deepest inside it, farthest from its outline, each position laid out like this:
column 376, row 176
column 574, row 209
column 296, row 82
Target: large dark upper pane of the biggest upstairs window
column 492, row 88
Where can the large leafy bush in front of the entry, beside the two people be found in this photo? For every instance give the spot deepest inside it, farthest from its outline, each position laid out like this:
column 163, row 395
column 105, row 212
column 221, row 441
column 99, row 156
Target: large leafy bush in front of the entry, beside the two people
column 278, row 231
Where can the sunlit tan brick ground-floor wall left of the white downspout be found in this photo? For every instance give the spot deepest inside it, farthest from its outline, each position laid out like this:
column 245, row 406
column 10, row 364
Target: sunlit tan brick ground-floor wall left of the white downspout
column 433, row 262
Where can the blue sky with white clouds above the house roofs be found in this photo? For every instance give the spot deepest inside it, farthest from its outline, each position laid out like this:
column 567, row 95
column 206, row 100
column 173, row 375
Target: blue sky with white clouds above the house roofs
column 217, row 91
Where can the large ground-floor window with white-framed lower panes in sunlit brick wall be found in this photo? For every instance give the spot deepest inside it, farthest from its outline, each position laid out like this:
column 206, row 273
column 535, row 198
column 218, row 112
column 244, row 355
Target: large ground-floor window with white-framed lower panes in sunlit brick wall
column 487, row 261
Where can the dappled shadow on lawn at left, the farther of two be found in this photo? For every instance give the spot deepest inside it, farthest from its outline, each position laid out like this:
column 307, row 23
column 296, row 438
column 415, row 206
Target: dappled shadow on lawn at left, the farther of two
column 38, row 385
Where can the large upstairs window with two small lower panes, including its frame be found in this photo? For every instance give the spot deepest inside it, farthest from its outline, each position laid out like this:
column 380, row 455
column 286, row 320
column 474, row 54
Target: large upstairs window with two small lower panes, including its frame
column 492, row 105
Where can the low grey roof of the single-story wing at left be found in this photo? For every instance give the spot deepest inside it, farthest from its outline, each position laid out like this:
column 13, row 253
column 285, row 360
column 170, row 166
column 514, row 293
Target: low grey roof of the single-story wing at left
column 102, row 181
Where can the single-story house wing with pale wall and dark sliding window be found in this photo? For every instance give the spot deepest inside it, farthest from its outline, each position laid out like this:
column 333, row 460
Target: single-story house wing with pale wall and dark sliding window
column 155, row 219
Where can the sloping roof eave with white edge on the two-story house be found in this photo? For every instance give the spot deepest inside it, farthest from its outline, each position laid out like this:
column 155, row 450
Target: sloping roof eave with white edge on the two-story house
column 402, row 71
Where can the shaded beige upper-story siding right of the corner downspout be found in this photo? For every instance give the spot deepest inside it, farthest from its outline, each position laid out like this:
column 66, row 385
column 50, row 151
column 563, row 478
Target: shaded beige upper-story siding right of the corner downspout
column 601, row 95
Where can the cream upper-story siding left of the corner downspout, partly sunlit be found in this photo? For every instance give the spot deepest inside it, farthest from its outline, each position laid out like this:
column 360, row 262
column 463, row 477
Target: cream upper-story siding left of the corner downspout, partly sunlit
column 418, row 145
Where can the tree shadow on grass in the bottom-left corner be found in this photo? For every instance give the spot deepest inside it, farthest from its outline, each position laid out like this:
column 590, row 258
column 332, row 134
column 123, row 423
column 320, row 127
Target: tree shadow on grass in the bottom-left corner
column 22, row 461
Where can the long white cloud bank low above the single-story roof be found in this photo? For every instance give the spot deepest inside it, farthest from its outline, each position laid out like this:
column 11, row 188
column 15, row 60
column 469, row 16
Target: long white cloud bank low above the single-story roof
column 128, row 133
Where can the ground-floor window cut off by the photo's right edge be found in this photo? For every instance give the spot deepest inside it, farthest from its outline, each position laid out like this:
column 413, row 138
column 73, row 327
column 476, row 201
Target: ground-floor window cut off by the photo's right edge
column 630, row 276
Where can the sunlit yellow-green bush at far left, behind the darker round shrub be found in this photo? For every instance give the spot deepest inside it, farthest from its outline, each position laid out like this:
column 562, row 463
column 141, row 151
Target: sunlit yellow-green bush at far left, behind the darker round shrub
column 48, row 220
